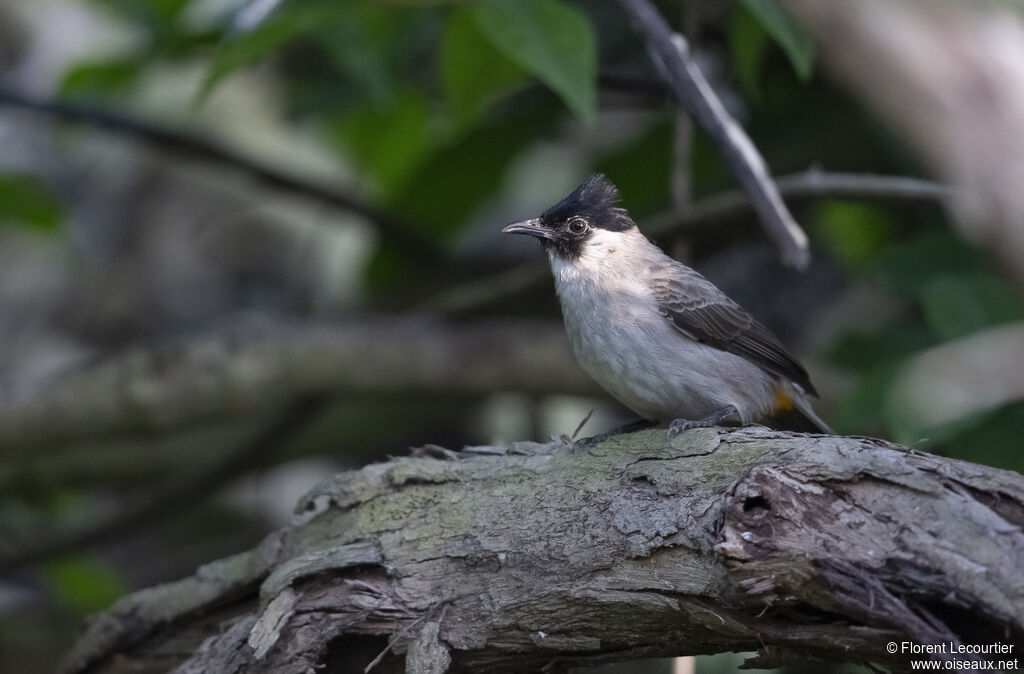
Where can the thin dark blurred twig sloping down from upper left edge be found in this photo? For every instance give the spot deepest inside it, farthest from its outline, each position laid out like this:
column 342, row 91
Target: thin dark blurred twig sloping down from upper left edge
column 398, row 233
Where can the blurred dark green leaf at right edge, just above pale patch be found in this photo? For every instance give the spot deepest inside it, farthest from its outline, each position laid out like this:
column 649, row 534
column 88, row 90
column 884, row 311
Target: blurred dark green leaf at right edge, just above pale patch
column 959, row 306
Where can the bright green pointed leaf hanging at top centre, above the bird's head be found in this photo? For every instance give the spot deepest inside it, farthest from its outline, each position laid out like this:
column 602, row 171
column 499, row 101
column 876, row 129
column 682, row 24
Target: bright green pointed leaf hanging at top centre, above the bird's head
column 550, row 40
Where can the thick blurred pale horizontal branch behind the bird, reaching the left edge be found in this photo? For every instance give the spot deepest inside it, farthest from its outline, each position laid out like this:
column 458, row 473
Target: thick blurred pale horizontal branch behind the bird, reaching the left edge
column 146, row 390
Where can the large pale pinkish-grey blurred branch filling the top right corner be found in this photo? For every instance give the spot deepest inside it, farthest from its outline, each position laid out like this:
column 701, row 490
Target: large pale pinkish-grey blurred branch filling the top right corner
column 947, row 79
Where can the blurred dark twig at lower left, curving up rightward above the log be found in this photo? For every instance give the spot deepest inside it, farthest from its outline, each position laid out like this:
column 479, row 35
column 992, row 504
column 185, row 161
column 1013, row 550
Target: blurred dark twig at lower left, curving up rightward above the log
column 180, row 495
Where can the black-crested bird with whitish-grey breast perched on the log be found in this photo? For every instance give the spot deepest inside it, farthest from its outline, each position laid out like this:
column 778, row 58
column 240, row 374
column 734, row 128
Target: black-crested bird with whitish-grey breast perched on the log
column 656, row 334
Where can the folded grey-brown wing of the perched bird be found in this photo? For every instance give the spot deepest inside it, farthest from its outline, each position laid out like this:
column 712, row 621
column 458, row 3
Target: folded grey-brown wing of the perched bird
column 703, row 313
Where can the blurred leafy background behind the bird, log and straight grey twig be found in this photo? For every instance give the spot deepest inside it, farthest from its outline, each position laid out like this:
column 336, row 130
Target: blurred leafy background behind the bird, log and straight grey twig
column 245, row 244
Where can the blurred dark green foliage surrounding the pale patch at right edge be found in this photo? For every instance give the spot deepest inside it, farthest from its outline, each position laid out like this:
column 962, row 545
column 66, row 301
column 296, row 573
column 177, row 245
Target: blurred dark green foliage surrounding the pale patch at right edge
column 947, row 290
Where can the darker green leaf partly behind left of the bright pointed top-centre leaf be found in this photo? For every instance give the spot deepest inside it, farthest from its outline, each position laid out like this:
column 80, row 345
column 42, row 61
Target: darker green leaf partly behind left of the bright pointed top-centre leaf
column 475, row 74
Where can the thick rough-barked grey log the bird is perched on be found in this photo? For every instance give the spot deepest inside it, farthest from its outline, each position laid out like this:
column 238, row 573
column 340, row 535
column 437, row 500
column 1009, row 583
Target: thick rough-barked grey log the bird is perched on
column 744, row 540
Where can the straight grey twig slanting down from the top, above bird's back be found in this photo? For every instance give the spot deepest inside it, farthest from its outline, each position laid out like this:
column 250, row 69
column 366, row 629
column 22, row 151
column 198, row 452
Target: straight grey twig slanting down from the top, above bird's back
column 671, row 55
